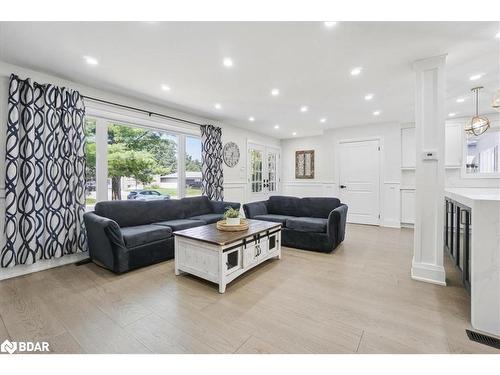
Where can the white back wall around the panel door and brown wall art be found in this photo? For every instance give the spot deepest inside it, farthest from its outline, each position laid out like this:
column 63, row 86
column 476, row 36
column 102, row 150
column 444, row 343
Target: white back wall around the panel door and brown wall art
column 326, row 181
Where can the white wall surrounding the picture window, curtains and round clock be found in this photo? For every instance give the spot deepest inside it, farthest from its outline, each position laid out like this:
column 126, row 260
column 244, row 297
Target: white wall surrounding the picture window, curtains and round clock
column 235, row 185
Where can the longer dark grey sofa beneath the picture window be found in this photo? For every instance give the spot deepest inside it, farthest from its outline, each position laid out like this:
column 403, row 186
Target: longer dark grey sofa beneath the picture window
column 124, row 235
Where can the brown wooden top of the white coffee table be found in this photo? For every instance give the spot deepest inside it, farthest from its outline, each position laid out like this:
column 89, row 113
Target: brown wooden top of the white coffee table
column 209, row 233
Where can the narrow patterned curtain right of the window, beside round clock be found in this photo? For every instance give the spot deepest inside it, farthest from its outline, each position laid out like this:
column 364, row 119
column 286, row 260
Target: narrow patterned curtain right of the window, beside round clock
column 211, row 155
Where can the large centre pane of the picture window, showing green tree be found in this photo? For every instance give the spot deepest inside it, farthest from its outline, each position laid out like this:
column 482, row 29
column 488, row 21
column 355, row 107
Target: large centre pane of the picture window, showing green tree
column 141, row 159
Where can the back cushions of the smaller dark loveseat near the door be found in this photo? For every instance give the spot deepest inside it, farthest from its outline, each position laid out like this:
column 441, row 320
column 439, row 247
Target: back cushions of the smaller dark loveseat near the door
column 305, row 207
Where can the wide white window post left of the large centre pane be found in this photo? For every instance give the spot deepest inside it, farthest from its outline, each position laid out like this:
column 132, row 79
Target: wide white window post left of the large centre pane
column 101, row 145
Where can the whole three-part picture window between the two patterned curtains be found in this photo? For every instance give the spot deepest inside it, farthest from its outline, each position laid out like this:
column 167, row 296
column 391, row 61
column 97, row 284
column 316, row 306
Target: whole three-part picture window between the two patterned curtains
column 141, row 162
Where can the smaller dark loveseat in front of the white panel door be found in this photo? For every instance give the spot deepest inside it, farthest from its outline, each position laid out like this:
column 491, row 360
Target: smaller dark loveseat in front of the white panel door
column 316, row 224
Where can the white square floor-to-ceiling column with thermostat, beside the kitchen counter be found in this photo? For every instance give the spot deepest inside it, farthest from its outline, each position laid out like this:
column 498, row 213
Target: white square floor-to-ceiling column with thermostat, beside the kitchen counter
column 427, row 264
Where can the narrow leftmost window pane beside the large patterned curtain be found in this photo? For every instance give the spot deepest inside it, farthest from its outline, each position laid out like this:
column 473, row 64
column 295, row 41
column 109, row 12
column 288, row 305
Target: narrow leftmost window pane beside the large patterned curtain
column 90, row 167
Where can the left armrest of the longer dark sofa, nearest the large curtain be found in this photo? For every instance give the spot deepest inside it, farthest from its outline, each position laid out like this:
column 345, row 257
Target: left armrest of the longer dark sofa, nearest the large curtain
column 104, row 239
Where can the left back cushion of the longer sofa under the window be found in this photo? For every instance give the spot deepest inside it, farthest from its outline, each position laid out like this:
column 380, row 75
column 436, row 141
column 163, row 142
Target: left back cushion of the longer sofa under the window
column 134, row 212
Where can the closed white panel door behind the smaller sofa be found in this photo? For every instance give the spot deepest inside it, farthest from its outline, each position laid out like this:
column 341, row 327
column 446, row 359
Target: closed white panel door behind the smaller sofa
column 359, row 180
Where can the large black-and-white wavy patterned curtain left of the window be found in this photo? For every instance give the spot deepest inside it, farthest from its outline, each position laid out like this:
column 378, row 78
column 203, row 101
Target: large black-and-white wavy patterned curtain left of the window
column 44, row 173
